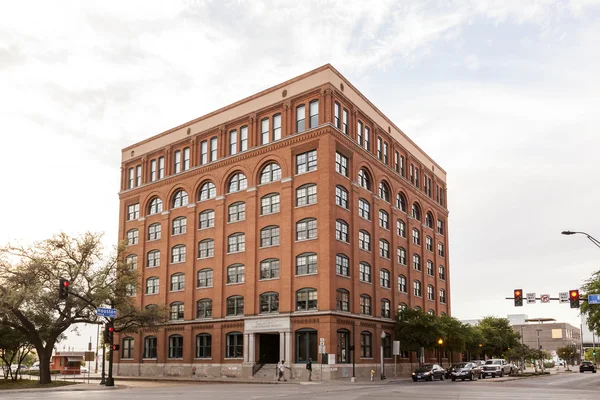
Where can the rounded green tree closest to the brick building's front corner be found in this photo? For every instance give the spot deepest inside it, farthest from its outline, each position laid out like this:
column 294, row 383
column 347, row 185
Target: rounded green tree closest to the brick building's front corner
column 417, row 330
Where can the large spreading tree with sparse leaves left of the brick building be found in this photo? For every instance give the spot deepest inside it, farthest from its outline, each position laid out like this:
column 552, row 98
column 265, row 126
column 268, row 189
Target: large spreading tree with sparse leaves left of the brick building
column 29, row 297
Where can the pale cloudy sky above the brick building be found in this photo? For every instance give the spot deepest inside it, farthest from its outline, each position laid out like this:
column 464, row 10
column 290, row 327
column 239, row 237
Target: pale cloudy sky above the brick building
column 504, row 95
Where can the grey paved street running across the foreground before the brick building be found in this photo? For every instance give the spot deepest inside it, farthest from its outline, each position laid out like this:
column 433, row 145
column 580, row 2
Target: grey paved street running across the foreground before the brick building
column 559, row 386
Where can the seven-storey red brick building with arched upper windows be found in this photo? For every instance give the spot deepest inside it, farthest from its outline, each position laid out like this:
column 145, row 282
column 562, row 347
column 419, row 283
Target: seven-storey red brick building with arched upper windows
column 296, row 215
